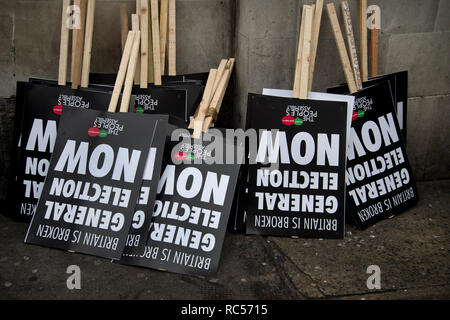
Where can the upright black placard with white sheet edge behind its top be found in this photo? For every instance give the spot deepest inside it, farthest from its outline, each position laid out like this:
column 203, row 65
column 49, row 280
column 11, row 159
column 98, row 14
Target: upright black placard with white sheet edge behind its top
column 301, row 192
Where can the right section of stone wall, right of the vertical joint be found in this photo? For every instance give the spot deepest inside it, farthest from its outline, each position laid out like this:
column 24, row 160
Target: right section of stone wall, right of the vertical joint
column 415, row 36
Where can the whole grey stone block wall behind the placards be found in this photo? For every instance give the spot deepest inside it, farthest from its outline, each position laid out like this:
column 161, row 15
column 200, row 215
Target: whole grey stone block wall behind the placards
column 262, row 35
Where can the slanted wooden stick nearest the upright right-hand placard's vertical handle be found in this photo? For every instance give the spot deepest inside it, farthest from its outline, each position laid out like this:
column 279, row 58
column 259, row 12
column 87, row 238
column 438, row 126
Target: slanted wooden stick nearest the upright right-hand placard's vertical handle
column 341, row 48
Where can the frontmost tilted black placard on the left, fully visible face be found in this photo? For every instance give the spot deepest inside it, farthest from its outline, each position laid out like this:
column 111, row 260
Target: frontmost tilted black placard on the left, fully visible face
column 90, row 193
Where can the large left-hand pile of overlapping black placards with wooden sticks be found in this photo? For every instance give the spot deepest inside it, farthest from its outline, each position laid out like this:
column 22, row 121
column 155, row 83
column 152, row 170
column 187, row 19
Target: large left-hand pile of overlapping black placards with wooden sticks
column 126, row 186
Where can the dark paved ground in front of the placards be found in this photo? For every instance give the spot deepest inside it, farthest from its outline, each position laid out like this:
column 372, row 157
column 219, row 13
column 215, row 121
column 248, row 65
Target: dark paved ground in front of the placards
column 412, row 251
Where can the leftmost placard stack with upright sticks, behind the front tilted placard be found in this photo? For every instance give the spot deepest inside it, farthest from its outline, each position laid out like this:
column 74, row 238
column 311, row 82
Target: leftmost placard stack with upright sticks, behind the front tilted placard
column 38, row 108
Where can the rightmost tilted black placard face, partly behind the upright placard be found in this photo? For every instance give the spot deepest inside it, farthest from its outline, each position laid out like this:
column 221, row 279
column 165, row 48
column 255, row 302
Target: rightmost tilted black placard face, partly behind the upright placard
column 380, row 182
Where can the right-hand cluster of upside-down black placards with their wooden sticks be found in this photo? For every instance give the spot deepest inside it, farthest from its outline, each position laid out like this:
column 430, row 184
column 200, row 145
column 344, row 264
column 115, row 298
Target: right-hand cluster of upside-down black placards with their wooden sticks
column 377, row 182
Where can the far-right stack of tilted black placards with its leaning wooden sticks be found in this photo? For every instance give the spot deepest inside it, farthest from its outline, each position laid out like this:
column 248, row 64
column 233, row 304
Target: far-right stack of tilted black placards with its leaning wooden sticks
column 380, row 182
